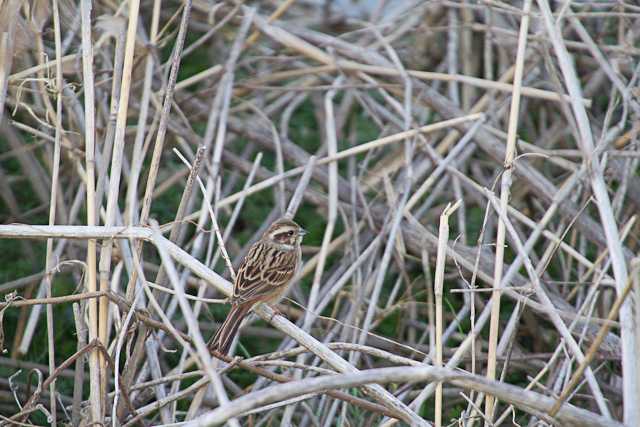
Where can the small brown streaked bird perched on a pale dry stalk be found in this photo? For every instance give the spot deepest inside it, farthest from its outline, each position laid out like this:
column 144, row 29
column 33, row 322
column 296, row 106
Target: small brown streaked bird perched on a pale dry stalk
column 264, row 276
